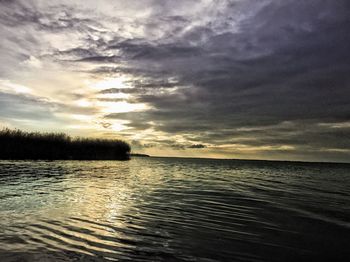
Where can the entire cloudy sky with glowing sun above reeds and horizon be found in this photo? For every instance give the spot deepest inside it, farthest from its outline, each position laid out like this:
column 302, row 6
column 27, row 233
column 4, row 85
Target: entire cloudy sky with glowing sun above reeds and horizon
column 251, row 79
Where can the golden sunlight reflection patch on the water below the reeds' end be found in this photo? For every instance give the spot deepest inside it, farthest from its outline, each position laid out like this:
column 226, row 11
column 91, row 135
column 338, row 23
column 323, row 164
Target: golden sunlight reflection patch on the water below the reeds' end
column 108, row 194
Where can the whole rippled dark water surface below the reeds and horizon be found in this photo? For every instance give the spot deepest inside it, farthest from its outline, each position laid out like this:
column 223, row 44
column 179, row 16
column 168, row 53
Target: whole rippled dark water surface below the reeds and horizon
column 163, row 209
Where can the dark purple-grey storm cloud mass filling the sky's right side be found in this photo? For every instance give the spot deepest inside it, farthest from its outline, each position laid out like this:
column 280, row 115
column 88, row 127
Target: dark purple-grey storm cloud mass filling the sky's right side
column 289, row 62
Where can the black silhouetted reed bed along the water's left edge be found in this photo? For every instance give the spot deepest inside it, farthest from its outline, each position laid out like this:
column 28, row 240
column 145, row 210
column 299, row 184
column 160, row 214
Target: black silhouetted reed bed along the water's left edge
column 16, row 144
